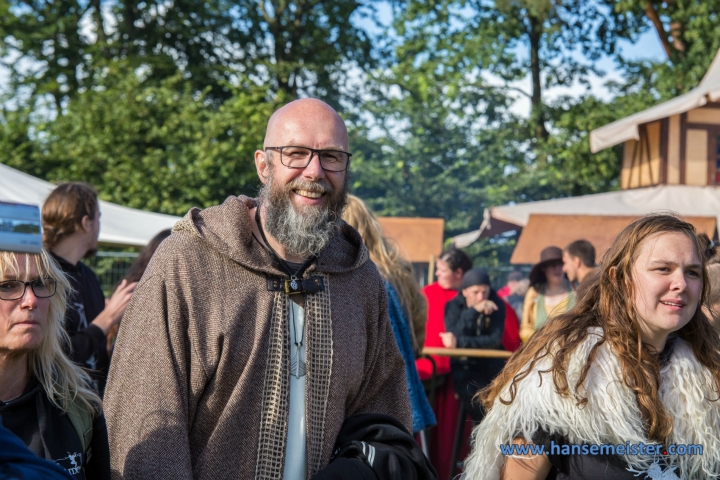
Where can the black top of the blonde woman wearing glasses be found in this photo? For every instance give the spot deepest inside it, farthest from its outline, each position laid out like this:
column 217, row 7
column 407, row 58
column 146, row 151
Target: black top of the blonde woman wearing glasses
column 50, row 434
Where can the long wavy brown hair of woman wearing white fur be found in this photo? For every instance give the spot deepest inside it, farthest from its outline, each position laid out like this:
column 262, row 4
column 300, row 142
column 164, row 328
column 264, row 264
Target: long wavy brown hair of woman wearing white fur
column 609, row 303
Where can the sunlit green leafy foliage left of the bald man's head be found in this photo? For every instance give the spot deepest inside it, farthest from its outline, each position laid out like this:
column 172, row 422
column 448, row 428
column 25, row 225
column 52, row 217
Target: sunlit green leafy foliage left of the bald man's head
column 157, row 148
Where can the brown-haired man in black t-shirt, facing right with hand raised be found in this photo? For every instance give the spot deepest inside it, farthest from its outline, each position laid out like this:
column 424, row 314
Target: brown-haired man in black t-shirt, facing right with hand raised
column 71, row 225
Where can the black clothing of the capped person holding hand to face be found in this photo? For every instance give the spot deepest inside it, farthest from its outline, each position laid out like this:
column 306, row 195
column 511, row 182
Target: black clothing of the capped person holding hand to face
column 474, row 329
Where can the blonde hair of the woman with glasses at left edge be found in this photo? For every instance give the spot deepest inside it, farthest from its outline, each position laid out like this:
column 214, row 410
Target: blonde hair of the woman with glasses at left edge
column 64, row 382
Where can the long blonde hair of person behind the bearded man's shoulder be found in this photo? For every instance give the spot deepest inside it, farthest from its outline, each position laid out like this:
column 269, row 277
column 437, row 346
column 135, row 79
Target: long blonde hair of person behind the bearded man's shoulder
column 393, row 268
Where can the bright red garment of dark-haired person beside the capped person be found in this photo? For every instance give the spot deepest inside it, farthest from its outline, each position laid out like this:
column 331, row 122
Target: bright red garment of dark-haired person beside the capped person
column 436, row 297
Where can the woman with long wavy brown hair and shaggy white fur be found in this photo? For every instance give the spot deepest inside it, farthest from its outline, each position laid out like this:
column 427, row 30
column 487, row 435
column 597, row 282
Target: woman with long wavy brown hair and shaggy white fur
column 635, row 363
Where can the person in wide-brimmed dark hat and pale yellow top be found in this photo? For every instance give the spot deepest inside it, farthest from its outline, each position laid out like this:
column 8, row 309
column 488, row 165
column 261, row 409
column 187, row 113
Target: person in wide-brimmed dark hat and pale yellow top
column 550, row 292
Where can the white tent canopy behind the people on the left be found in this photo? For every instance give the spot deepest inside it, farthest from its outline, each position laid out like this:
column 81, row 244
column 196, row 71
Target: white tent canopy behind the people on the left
column 118, row 226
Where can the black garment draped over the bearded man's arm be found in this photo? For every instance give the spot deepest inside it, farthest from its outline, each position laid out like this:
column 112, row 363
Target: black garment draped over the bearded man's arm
column 376, row 447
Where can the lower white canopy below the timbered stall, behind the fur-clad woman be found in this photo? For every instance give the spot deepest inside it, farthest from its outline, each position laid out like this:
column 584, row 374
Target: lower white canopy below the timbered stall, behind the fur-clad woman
column 682, row 199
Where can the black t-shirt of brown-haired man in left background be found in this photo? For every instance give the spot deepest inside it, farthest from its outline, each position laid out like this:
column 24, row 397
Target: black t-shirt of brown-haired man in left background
column 89, row 345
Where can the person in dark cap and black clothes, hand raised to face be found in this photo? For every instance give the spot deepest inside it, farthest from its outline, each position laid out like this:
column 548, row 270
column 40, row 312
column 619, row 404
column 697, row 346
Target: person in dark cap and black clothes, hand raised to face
column 475, row 318
